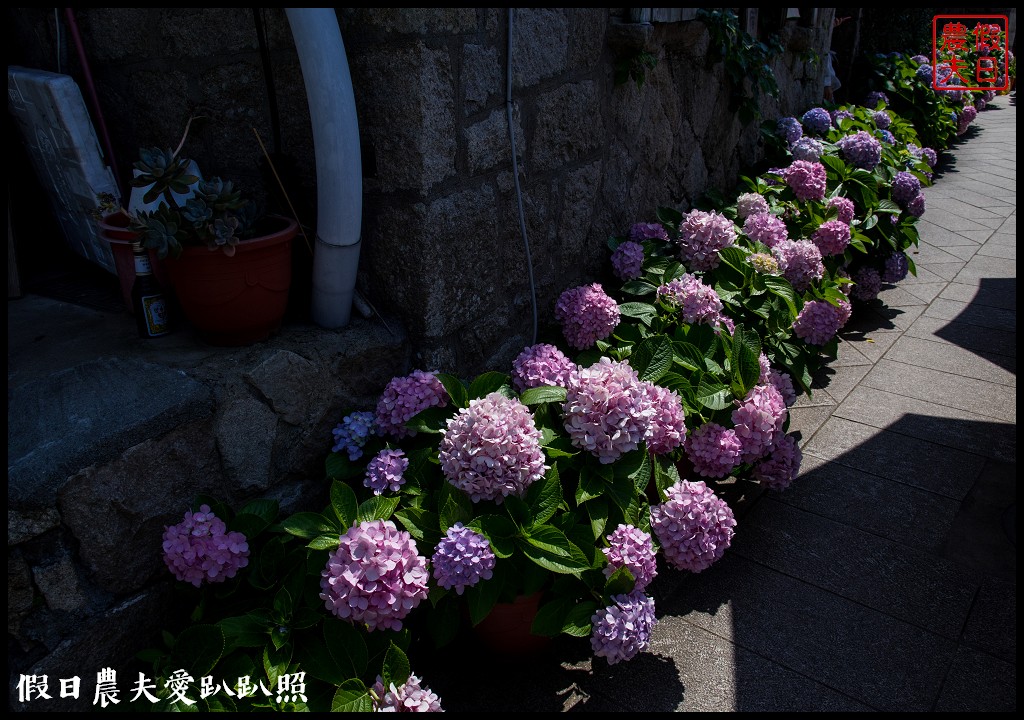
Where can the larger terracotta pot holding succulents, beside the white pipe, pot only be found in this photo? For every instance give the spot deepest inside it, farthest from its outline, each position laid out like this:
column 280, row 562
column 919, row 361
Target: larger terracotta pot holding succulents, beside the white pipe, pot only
column 241, row 300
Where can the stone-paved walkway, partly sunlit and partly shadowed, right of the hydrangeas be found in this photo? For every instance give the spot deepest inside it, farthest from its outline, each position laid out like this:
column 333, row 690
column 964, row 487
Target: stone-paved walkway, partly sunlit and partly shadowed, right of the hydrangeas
column 885, row 579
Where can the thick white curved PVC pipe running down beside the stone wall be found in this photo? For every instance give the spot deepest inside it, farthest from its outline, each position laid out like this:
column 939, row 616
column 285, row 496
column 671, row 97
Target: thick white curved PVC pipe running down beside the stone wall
column 339, row 167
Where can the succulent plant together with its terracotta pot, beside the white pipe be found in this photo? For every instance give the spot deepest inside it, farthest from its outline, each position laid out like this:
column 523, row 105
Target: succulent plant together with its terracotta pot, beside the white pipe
column 230, row 266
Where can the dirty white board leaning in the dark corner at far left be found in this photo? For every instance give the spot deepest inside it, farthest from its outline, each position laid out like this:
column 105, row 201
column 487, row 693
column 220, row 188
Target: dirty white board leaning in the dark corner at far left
column 63, row 144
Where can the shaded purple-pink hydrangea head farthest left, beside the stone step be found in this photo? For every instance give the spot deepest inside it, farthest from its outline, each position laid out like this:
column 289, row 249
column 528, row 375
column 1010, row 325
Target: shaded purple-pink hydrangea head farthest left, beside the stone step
column 201, row 550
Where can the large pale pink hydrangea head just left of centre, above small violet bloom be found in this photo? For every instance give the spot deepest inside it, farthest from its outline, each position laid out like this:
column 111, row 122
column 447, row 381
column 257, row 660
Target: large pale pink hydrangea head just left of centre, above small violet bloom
column 492, row 449
